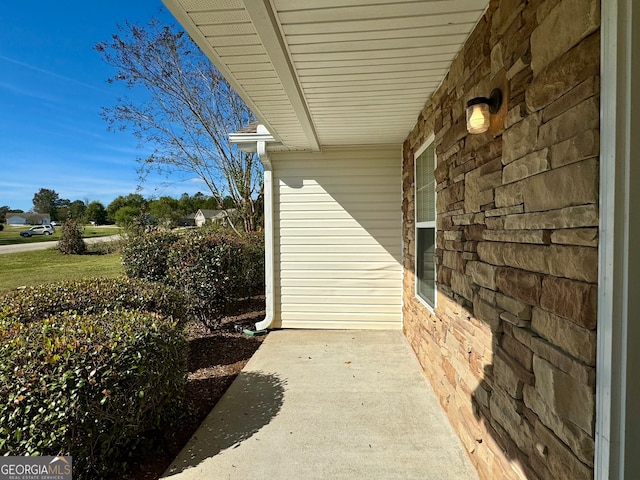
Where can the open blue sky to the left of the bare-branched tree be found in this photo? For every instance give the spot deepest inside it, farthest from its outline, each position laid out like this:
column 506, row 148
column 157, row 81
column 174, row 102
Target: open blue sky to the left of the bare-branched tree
column 52, row 88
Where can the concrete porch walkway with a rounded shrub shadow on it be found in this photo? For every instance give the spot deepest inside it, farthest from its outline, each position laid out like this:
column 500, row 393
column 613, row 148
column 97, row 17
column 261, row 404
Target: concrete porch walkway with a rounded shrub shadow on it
column 326, row 405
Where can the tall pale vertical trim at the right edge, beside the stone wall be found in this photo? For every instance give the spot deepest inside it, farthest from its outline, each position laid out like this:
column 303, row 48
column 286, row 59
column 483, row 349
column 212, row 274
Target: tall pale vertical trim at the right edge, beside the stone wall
column 617, row 438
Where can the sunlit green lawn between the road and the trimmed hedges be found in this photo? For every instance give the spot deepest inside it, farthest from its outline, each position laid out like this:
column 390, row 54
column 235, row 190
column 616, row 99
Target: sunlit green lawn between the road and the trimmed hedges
column 45, row 266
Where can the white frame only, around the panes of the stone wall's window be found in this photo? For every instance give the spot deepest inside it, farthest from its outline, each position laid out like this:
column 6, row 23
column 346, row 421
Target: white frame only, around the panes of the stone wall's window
column 423, row 225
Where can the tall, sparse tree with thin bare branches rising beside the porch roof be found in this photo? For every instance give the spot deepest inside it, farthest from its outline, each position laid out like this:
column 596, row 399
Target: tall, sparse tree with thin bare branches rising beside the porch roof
column 189, row 112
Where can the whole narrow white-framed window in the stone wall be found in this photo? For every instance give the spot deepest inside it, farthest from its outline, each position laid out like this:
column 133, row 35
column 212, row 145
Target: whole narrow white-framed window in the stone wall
column 425, row 206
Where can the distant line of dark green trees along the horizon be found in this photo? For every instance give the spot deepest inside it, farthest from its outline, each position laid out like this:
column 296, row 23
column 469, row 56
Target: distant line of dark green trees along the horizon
column 123, row 210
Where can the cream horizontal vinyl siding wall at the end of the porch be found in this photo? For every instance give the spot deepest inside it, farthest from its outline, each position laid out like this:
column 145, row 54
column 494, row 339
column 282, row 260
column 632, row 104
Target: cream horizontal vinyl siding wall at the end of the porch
column 338, row 239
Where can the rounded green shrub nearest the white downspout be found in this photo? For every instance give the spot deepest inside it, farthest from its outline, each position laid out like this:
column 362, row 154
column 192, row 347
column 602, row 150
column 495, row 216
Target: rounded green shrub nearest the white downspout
column 207, row 268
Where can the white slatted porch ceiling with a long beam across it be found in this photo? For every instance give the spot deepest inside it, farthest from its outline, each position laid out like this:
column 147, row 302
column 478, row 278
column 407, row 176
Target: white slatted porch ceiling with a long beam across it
column 332, row 72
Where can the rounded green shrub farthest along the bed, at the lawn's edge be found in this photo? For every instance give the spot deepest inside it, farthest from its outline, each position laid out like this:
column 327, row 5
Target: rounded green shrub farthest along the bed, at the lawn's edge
column 145, row 255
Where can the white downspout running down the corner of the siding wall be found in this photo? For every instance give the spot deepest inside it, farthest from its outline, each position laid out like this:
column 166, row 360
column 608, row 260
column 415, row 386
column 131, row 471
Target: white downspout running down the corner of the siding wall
column 269, row 275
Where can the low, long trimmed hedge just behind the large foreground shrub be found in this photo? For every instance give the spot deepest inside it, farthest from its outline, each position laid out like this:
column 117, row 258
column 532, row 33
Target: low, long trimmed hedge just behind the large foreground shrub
column 93, row 296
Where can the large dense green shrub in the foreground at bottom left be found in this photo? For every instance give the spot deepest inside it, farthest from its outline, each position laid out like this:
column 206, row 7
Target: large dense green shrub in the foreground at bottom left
column 90, row 386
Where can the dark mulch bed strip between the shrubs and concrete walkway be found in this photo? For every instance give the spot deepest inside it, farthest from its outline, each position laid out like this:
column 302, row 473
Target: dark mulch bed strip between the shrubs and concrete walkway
column 215, row 359
